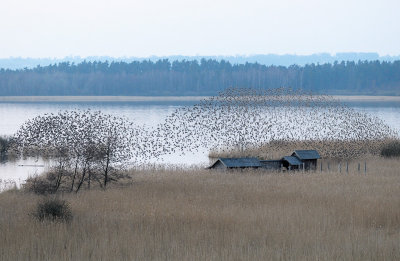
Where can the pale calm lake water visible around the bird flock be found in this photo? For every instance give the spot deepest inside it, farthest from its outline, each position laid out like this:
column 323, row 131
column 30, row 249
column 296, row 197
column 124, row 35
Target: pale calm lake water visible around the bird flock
column 14, row 114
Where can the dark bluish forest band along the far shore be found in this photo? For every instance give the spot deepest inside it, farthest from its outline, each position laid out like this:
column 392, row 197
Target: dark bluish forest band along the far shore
column 198, row 77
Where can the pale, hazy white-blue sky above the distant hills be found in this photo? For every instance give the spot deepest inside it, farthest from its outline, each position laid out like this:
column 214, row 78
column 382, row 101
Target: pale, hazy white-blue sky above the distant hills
column 60, row 28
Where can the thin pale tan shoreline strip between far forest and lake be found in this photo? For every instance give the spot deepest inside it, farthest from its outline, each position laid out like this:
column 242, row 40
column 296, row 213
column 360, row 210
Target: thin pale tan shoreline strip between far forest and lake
column 350, row 98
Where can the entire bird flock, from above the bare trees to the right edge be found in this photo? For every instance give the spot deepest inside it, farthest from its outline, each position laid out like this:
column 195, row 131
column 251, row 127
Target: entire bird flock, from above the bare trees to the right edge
column 236, row 119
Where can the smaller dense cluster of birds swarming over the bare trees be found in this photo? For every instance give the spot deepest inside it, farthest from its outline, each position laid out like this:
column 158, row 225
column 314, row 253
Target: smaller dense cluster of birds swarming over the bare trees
column 78, row 135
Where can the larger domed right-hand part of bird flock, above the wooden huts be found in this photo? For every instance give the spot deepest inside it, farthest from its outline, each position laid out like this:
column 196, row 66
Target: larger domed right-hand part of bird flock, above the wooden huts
column 244, row 118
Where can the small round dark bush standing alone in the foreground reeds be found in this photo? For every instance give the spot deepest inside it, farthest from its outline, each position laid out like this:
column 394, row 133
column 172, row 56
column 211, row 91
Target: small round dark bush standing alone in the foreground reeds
column 53, row 209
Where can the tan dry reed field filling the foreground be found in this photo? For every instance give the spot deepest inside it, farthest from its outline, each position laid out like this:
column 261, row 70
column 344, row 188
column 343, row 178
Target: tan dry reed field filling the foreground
column 201, row 215
